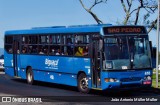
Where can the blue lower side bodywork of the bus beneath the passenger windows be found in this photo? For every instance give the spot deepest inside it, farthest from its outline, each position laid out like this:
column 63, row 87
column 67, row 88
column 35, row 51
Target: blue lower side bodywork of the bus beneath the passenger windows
column 55, row 69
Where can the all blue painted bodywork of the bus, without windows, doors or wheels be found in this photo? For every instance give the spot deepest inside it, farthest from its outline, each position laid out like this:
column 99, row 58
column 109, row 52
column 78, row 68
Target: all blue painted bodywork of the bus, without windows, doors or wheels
column 64, row 69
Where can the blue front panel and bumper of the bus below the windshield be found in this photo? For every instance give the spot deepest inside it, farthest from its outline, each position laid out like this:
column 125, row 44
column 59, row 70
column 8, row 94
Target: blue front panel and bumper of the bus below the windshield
column 125, row 79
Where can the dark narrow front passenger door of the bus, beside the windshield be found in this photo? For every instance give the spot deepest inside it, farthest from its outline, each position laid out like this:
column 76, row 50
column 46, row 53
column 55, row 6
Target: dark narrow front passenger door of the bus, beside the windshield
column 96, row 64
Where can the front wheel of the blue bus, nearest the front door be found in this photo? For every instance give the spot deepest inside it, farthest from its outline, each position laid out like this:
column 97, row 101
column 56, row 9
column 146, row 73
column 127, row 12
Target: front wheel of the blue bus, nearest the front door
column 83, row 83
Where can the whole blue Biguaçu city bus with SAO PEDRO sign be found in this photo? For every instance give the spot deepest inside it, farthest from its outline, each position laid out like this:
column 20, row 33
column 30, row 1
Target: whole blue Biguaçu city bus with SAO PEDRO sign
column 100, row 57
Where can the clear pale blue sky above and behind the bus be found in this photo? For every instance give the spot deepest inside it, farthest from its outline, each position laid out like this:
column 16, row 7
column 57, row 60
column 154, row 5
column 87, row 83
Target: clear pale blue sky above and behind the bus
column 25, row 14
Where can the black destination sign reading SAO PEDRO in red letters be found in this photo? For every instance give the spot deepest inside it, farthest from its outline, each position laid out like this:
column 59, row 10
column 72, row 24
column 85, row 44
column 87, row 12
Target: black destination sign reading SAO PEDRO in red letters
column 124, row 30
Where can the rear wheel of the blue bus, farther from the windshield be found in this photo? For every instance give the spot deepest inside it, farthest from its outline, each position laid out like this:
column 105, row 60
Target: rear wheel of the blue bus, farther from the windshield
column 30, row 77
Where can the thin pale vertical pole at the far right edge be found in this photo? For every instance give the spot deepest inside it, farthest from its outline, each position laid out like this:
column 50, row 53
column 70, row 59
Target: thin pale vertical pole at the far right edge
column 157, row 51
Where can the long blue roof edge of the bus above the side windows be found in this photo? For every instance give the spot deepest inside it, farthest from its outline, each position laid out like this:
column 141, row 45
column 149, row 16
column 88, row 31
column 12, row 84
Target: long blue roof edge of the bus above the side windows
column 59, row 29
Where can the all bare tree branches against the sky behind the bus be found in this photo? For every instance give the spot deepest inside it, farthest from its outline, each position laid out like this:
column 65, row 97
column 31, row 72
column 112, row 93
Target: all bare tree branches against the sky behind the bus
column 132, row 10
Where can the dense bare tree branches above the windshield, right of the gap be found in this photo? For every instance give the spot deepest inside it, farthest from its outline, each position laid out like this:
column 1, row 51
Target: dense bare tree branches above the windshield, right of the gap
column 148, row 7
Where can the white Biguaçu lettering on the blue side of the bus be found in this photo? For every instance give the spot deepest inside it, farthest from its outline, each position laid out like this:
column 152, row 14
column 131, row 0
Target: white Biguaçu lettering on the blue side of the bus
column 52, row 63
